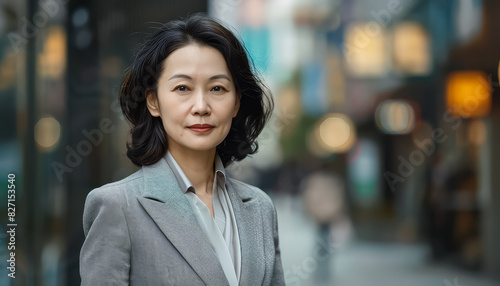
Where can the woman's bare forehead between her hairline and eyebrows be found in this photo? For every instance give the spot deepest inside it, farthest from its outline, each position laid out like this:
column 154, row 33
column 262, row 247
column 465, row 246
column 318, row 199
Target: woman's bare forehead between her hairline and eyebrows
column 195, row 60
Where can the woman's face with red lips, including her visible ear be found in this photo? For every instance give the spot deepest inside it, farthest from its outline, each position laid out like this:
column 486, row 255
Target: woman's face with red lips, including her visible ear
column 196, row 98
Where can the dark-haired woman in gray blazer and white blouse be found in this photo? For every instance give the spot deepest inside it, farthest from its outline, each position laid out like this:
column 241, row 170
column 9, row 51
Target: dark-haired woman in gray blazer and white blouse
column 195, row 107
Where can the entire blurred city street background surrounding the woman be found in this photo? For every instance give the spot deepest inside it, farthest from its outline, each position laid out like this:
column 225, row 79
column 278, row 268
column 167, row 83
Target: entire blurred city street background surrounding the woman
column 381, row 153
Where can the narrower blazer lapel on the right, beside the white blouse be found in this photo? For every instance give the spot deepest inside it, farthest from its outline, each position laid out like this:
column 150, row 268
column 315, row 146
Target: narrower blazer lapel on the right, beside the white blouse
column 248, row 220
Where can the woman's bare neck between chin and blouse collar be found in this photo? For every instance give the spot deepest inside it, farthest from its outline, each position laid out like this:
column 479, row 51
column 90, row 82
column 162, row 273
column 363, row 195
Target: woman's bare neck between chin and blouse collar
column 198, row 167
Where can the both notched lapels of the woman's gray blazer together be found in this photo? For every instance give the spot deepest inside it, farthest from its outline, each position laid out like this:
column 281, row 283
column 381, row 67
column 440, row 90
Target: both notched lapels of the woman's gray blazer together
column 165, row 202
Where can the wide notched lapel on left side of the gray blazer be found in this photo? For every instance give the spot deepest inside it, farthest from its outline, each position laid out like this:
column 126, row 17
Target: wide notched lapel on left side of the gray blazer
column 167, row 205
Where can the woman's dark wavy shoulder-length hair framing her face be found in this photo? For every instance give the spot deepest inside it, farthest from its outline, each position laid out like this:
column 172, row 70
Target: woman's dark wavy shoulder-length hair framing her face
column 148, row 142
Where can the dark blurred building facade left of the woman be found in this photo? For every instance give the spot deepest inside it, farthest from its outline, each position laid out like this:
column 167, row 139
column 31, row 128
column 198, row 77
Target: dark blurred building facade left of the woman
column 63, row 132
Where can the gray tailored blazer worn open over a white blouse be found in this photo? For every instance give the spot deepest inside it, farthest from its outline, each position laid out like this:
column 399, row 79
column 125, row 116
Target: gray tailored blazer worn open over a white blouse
column 142, row 231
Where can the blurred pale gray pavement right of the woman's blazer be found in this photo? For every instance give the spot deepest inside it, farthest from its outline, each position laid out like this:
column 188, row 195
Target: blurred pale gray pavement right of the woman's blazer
column 358, row 263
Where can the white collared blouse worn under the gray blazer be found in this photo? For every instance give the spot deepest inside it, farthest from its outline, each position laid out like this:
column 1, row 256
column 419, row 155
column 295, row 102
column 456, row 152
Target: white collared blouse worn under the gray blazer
column 221, row 230
